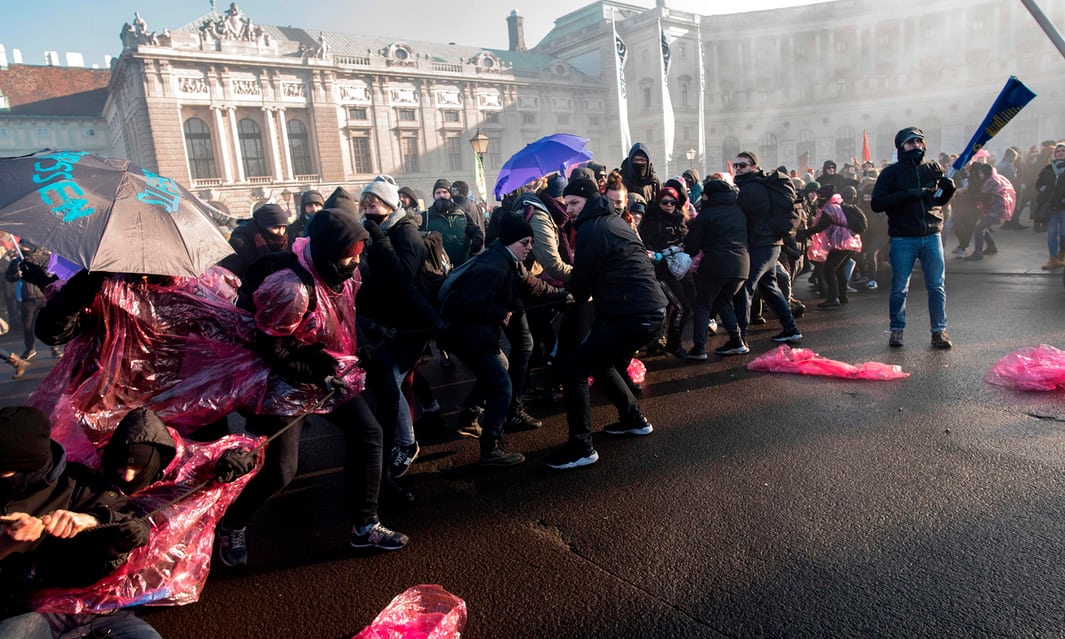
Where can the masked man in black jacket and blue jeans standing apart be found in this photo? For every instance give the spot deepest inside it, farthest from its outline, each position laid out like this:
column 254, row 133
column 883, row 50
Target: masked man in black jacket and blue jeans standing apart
column 912, row 192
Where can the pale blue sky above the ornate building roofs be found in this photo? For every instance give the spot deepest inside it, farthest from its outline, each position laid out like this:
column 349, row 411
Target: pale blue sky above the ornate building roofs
column 92, row 27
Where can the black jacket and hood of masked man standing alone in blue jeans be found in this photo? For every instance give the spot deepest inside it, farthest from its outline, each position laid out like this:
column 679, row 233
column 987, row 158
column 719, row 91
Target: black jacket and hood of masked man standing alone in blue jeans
column 906, row 191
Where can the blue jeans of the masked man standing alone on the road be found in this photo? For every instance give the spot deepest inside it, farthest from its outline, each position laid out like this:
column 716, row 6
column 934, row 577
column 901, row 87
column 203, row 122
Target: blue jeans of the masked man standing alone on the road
column 906, row 252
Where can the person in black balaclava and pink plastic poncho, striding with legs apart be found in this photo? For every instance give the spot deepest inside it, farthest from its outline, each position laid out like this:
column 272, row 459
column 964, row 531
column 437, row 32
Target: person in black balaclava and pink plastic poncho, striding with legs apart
column 312, row 350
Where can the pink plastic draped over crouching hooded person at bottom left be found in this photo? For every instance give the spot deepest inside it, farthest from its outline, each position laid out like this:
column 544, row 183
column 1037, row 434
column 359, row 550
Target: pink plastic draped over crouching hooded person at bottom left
column 173, row 568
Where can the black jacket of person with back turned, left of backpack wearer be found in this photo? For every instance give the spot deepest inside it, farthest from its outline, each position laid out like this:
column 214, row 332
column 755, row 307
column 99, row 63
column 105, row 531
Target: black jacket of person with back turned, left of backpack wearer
column 720, row 233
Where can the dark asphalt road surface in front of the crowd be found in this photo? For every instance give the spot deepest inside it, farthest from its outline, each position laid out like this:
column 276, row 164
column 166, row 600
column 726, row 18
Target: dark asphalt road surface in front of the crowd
column 763, row 505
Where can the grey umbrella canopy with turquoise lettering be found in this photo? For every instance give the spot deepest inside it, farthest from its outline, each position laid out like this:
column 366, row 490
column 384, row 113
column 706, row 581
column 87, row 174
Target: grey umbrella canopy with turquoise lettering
column 108, row 215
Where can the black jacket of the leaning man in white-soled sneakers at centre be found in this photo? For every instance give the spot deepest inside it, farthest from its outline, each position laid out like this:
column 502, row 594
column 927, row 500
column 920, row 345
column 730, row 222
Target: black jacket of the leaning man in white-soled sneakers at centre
column 612, row 267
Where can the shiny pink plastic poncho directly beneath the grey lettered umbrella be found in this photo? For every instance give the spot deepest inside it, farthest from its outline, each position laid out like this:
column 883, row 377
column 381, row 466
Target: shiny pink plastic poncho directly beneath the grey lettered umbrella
column 182, row 350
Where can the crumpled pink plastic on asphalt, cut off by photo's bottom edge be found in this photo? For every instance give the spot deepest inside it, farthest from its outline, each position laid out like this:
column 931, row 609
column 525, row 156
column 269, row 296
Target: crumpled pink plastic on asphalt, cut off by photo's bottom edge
column 425, row 612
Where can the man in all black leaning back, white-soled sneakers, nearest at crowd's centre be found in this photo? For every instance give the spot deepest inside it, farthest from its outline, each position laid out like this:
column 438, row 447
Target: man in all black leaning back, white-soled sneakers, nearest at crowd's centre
column 612, row 268
